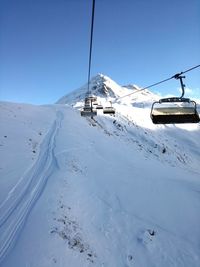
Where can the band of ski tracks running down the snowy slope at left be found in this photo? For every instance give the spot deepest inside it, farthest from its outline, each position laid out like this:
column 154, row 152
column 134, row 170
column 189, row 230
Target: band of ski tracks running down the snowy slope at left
column 23, row 196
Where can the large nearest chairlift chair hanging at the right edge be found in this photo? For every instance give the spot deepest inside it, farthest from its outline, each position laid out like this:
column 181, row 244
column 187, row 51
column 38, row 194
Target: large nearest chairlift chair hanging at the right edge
column 175, row 109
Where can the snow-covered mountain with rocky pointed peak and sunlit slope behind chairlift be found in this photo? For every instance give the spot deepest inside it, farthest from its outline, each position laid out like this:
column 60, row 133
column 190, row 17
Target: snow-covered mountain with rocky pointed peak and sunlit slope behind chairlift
column 134, row 109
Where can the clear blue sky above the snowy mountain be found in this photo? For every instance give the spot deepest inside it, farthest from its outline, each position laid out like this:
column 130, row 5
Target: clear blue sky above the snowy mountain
column 44, row 45
